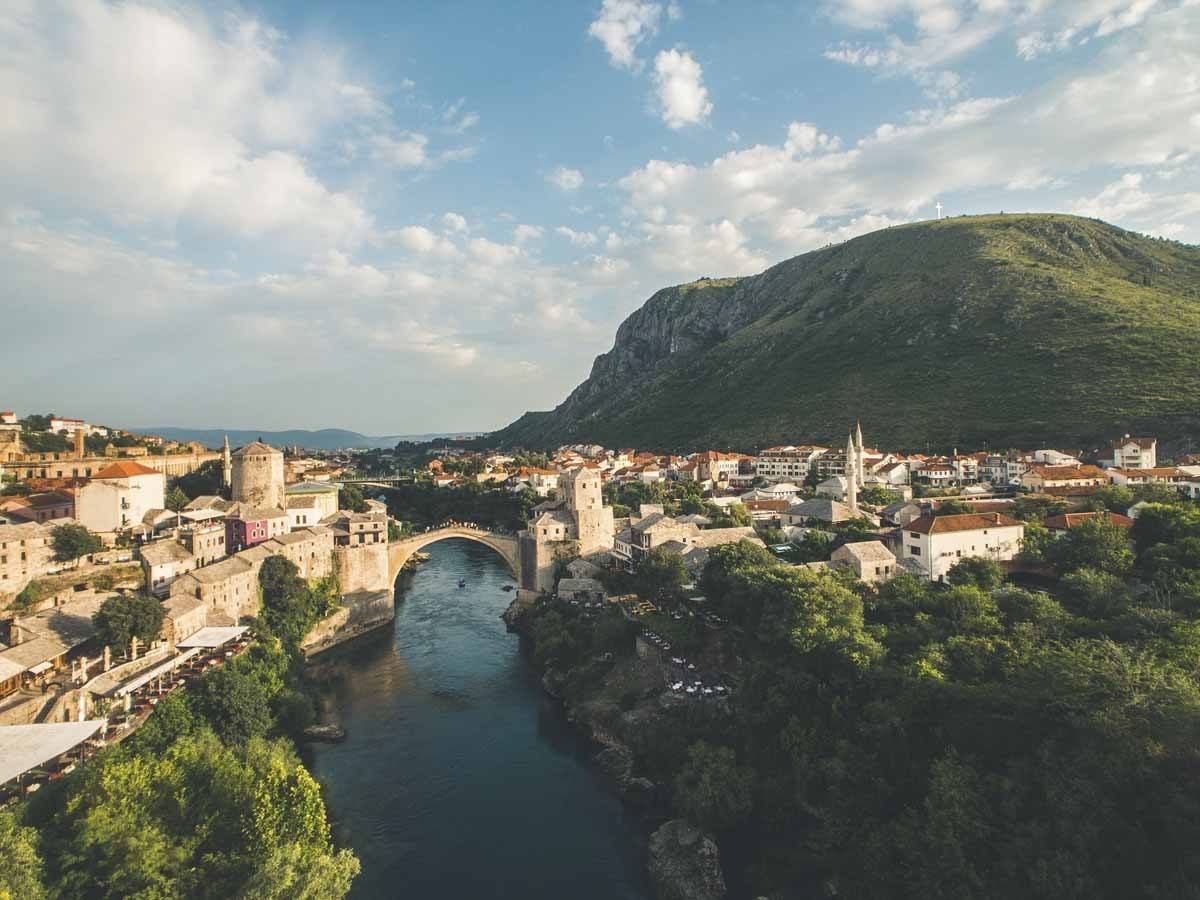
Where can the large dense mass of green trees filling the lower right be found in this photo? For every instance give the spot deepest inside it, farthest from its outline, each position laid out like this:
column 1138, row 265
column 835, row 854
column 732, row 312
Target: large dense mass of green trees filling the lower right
column 964, row 741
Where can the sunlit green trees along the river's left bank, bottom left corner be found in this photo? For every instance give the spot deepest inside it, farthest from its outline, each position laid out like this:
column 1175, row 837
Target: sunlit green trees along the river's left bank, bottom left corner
column 207, row 800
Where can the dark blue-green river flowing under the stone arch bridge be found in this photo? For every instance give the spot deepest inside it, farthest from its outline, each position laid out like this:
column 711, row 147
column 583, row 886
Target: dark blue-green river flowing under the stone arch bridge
column 459, row 778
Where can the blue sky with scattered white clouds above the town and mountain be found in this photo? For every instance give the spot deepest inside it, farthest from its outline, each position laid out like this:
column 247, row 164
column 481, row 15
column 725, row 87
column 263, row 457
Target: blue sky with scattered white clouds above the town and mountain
column 404, row 218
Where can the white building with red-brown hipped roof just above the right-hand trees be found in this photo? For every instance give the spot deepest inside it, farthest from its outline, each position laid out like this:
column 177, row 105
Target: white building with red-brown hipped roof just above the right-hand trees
column 933, row 545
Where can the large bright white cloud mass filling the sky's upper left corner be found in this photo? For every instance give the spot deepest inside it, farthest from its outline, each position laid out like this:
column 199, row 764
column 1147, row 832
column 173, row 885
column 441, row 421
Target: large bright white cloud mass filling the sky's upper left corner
column 233, row 111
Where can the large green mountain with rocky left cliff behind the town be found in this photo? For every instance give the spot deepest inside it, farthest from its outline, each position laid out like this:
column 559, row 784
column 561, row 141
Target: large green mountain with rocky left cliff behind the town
column 979, row 331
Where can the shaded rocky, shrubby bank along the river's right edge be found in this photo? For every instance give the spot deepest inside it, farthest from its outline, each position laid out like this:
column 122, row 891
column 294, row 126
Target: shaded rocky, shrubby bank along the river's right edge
column 617, row 695
